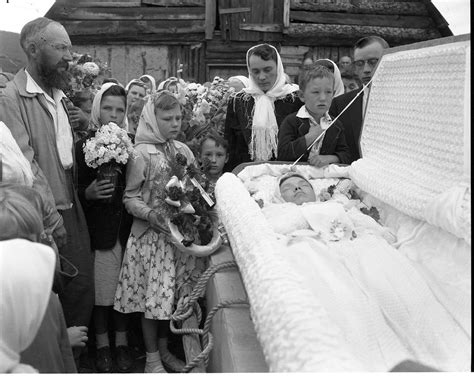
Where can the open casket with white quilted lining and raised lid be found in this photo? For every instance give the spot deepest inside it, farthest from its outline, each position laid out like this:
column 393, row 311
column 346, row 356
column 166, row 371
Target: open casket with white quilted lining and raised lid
column 368, row 304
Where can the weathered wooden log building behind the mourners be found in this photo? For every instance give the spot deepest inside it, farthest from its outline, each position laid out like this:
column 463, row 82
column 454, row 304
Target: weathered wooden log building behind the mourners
column 210, row 37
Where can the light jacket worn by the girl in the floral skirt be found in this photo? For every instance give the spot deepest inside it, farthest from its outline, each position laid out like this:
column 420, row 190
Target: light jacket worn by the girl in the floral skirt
column 141, row 173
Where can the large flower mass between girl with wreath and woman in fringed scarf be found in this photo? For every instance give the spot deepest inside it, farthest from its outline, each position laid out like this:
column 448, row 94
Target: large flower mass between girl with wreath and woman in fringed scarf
column 204, row 108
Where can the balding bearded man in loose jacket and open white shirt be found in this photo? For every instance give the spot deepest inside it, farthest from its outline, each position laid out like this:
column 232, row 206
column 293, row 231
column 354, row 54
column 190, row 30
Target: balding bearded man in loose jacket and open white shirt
column 33, row 107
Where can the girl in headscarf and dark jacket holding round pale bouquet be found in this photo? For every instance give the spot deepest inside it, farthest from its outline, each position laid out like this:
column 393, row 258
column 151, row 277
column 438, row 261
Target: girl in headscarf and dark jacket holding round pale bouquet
column 108, row 222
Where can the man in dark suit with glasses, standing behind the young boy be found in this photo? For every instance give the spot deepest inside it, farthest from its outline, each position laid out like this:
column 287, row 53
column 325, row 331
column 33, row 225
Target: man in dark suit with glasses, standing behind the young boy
column 367, row 52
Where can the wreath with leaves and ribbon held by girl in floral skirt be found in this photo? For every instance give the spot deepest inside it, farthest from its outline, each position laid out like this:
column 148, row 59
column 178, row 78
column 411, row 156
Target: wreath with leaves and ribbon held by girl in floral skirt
column 185, row 203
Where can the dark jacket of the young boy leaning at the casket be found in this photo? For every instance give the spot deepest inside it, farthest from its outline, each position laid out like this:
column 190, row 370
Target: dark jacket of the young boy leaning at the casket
column 292, row 143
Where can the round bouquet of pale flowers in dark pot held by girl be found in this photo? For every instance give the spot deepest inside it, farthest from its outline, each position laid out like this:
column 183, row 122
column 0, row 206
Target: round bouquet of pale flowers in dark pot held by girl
column 109, row 147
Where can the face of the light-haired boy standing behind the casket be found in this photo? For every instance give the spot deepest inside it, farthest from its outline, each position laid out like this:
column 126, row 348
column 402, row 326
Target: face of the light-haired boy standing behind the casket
column 318, row 95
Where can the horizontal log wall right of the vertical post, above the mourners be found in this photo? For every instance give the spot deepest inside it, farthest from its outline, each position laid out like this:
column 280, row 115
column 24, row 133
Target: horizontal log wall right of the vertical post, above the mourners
column 342, row 22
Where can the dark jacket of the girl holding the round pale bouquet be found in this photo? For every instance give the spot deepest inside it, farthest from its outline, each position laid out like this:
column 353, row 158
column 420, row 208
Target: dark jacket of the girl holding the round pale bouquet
column 105, row 221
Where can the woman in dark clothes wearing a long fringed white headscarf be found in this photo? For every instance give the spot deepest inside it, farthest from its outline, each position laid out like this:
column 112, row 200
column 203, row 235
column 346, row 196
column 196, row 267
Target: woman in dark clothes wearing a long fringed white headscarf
column 256, row 112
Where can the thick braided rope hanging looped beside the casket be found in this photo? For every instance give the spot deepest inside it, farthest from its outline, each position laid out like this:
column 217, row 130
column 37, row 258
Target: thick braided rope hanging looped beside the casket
column 188, row 305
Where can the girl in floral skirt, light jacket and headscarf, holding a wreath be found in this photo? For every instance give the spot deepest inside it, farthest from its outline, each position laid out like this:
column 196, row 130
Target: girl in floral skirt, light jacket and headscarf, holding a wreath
column 154, row 271
